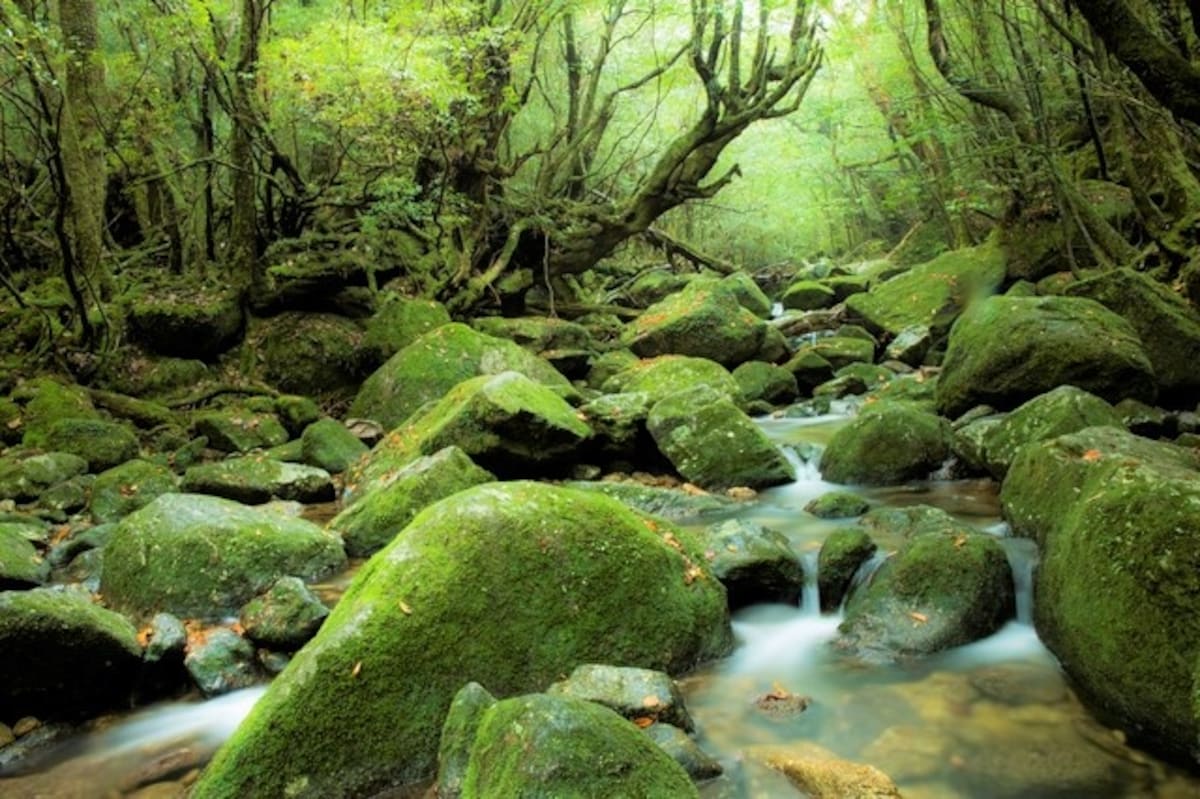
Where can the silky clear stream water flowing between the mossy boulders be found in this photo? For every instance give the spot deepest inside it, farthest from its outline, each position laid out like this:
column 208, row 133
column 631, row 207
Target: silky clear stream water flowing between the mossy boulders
column 993, row 720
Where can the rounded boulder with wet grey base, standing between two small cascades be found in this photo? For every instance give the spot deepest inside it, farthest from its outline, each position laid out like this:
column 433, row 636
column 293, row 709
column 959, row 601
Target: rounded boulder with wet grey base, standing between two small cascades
column 939, row 591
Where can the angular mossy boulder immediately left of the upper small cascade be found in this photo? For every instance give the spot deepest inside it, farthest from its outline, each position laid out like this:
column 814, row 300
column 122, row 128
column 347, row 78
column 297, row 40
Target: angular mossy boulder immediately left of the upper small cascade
column 716, row 446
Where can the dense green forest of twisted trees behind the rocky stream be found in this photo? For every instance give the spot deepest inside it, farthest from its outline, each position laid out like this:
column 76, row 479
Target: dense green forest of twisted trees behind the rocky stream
column 479, row 151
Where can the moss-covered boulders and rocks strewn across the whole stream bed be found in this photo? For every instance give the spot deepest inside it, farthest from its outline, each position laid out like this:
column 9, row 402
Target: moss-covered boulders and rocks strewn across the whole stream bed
column 181, row 519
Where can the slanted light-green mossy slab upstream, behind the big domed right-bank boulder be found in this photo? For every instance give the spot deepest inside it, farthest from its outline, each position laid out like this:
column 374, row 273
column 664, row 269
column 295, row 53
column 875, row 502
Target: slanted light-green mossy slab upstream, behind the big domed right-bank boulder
column 933, row 295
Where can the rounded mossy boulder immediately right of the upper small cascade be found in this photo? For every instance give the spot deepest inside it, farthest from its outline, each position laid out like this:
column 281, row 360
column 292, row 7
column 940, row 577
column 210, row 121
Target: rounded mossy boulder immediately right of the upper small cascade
column 889, row 443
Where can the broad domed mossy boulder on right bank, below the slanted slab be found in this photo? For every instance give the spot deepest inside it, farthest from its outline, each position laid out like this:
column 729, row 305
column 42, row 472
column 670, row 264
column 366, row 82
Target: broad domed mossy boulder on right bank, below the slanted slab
column 1006, row 351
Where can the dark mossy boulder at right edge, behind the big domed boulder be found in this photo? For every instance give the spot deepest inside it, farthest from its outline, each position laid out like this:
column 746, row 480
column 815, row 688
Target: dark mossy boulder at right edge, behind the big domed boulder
column 1169, row 328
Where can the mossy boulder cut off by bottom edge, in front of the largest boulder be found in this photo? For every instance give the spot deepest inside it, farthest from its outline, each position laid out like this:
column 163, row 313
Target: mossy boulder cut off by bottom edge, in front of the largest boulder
column 543, row 747
